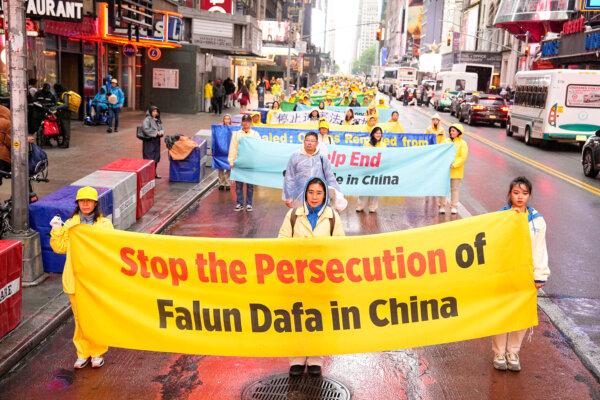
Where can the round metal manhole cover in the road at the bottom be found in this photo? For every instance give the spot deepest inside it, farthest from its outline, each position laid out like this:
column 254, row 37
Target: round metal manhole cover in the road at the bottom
column 280, row 387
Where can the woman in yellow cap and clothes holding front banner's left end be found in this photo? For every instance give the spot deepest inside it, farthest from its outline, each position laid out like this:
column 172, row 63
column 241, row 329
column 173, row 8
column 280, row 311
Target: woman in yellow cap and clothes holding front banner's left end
column 86, row 212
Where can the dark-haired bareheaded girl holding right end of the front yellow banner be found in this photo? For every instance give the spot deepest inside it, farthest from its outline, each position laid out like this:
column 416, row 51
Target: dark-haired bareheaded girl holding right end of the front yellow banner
column 506, row 346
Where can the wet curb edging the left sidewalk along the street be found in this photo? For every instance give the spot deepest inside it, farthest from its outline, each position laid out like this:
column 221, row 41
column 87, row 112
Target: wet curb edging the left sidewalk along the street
column 21, row 341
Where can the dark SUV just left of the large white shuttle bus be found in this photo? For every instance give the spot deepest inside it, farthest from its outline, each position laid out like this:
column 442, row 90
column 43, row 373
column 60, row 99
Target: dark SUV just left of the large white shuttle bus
column 489, row 108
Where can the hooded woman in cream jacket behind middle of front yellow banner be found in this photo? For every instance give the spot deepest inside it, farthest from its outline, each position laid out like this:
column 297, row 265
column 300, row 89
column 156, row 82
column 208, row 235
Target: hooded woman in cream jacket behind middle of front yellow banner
column 315, row 218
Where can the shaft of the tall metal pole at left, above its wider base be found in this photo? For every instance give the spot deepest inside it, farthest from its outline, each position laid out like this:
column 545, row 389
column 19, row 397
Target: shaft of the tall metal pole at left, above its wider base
column 17, row 66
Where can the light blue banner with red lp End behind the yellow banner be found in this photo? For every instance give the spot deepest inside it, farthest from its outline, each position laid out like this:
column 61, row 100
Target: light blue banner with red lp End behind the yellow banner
column 364, row 171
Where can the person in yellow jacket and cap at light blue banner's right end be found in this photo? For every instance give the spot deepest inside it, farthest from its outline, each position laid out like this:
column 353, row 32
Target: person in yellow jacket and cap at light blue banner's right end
column 457, row 169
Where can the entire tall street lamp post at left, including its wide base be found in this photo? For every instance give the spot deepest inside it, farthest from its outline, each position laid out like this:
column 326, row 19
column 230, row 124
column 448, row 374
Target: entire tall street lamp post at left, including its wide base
column 33, row 272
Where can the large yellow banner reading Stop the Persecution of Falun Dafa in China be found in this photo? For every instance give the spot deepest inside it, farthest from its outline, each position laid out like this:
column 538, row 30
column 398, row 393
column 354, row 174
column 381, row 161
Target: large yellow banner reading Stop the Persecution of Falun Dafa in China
column 282, row 297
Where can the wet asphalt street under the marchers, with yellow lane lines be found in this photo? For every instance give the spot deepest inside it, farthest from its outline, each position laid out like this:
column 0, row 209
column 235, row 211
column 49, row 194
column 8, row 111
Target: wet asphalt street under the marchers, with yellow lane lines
column 551, row 369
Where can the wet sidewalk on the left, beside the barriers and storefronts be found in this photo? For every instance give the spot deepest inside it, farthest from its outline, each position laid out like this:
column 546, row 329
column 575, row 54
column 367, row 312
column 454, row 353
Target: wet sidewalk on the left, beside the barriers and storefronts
column 46, row 307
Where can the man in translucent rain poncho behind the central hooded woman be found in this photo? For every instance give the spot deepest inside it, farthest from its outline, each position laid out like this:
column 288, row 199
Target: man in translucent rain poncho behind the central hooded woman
column 307, row 162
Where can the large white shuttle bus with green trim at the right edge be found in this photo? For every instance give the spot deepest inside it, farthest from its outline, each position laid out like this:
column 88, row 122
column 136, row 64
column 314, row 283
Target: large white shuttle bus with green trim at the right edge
column 557, row 104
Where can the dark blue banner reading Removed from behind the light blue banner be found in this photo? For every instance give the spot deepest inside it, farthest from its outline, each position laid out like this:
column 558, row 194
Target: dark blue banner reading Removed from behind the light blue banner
column 221, row 137
